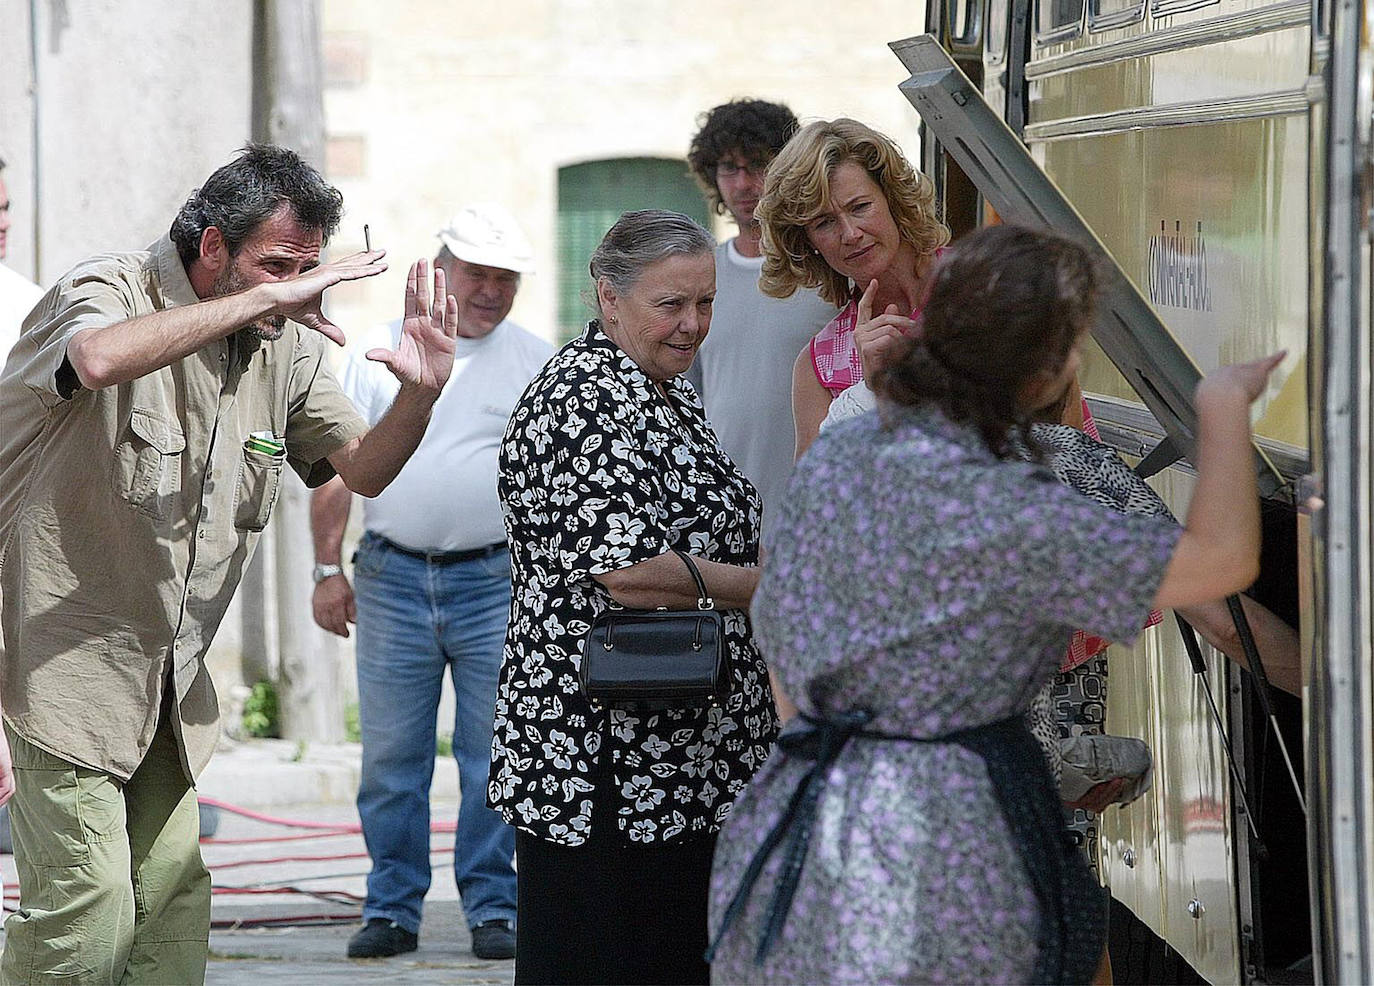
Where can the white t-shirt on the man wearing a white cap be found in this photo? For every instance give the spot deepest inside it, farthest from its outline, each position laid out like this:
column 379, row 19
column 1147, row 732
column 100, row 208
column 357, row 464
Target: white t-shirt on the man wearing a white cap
column 444, row 499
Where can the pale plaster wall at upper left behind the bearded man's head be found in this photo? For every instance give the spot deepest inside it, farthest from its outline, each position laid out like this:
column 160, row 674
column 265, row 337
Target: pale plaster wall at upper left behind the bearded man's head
column 133, row 104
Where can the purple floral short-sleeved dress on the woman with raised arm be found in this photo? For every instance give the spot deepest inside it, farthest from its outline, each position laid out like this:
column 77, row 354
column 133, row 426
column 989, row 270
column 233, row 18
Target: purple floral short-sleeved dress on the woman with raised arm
column 913, row 575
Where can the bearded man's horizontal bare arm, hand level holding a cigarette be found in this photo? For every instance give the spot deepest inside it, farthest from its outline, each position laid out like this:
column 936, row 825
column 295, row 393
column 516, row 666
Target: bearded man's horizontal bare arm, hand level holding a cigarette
column 133, row 348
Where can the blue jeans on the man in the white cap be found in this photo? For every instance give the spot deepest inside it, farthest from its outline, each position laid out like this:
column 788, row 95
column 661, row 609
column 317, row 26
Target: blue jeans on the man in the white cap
column 417, row 619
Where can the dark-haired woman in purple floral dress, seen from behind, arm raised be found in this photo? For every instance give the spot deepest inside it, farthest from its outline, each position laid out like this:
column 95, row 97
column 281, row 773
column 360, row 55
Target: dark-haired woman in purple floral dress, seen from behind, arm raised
column 913, row 635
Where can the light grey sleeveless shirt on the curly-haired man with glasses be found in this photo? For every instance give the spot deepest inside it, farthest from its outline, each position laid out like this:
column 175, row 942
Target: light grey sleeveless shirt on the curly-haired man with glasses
column 744, row 369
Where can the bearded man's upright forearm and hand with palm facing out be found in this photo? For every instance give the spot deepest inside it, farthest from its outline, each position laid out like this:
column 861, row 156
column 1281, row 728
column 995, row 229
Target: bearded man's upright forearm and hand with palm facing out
column 423, row 362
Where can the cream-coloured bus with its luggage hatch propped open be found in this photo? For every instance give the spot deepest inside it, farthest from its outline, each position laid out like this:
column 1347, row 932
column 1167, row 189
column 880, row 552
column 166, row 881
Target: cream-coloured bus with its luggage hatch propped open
column 1218, row 152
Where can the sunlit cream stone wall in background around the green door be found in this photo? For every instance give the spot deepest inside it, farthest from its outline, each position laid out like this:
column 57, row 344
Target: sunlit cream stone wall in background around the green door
column 454, row 102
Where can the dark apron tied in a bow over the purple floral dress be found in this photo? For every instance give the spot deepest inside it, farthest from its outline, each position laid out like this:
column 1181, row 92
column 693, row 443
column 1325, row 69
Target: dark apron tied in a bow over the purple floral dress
column 1072, row 928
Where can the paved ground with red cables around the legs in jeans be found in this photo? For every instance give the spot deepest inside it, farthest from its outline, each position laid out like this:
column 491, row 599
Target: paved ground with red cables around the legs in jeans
column 251, row 874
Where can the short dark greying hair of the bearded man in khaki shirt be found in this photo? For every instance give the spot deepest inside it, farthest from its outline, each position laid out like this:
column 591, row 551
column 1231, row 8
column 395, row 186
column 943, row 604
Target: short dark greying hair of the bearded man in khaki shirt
column 251, row 189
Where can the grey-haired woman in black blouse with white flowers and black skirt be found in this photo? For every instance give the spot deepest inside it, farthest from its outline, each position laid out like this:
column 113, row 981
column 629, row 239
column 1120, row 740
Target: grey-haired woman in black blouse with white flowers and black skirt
column 608, row 466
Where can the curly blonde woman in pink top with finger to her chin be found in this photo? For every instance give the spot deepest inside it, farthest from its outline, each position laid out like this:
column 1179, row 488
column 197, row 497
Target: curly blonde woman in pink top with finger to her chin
column 844, row 212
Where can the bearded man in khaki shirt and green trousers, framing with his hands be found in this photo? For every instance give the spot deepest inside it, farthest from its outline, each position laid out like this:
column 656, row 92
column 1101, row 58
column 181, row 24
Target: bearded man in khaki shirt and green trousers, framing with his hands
column 146, row 415
